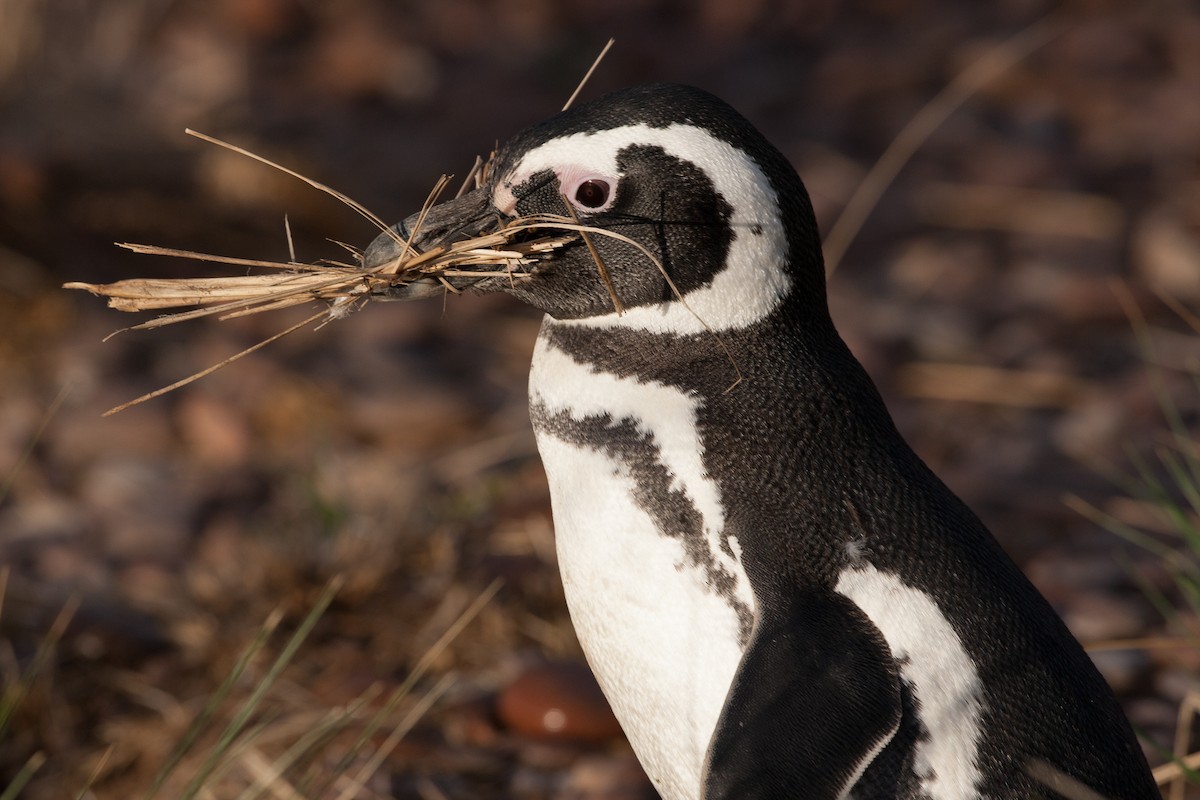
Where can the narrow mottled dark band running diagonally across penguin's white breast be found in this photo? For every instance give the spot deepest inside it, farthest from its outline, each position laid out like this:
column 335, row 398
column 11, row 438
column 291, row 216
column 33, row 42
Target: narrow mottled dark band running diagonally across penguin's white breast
column 673, row 512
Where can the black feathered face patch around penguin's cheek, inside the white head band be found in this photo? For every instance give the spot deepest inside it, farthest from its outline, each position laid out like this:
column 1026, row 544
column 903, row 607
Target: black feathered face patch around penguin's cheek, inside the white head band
column 667, row 204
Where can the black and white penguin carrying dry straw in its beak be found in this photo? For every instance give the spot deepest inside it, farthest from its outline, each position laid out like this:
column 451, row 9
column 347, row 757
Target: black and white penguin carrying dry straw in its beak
column 778, row 598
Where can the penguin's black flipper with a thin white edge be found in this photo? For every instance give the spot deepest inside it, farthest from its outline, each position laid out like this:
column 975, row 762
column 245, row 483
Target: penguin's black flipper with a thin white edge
column 815, row 699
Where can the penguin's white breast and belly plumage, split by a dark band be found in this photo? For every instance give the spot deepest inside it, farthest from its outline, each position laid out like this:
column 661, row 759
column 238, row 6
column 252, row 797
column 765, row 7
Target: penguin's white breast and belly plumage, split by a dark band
column 663, row 642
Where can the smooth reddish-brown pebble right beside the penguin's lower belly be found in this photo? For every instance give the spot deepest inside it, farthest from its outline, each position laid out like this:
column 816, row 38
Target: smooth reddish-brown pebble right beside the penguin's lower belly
column 557, row 700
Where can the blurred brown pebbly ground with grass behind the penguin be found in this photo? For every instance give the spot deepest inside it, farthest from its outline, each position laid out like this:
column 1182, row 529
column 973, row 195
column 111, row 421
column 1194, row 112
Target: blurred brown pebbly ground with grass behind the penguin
column 1024, row 294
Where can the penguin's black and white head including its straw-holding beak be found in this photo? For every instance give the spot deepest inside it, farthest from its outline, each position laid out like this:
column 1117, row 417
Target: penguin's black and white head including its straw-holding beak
column 671, row 169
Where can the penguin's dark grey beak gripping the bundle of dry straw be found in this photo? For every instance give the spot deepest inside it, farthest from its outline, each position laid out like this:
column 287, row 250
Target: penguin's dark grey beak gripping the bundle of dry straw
column 464, row 218
